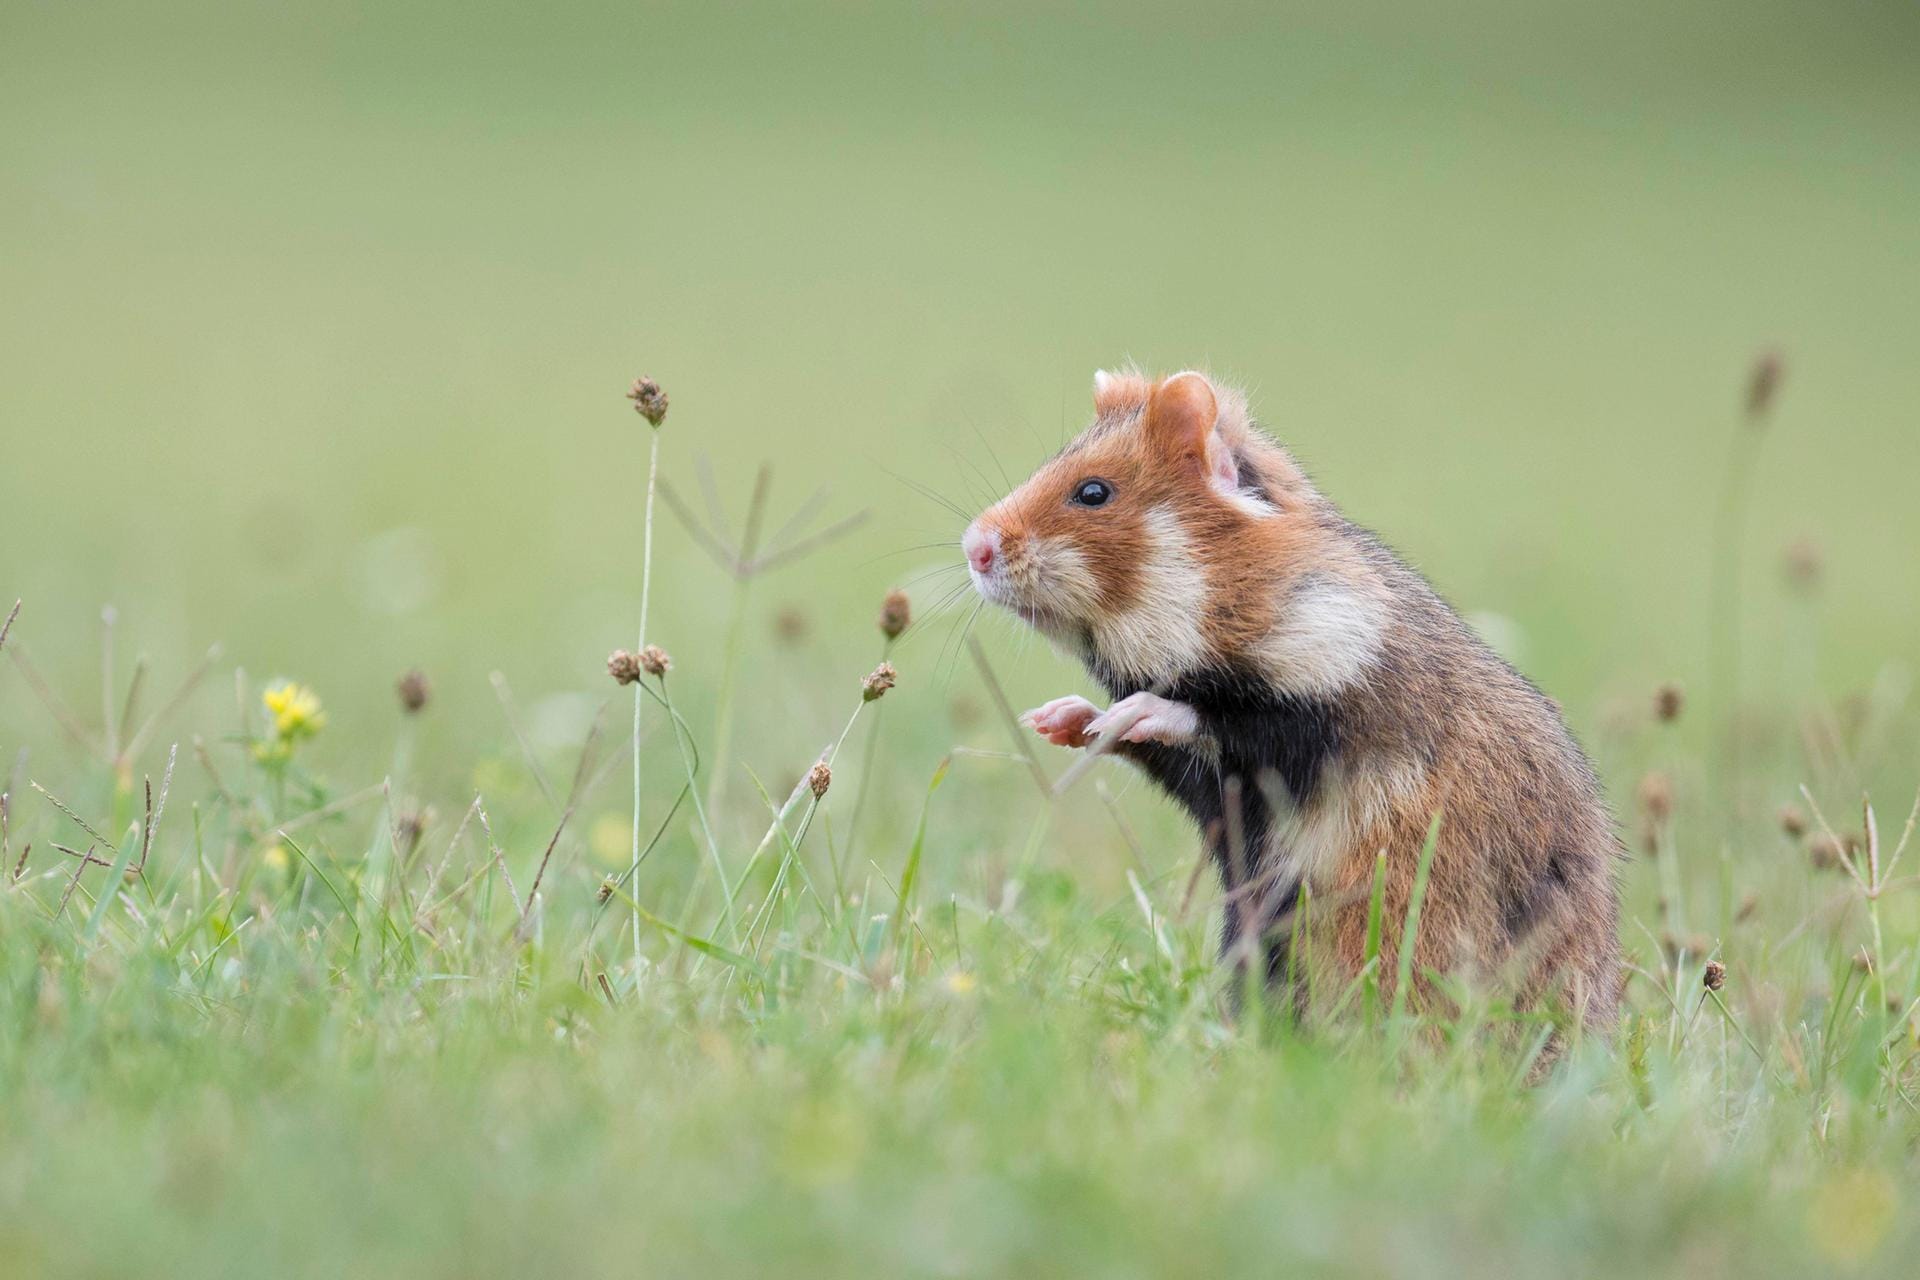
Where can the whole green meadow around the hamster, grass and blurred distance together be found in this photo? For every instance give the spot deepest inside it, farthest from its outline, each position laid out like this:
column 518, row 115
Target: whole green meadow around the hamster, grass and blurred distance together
column 322, row 949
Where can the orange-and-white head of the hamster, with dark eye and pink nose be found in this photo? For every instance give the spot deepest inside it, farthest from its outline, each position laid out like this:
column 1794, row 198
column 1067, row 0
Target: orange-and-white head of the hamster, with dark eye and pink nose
column 1153, row 542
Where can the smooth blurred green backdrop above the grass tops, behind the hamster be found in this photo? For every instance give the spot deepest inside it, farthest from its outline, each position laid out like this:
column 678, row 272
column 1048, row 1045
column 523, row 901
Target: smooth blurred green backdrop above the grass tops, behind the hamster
column 318, row 318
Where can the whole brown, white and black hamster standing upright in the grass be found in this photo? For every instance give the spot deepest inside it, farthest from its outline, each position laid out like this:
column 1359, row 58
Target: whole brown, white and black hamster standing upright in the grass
column 1310, row 701
